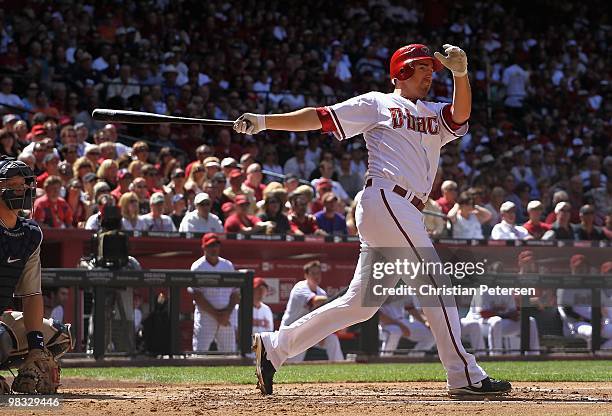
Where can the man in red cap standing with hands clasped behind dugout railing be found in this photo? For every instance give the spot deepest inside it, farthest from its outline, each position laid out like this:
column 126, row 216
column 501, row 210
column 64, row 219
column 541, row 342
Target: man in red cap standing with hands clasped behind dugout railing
column 214, row 317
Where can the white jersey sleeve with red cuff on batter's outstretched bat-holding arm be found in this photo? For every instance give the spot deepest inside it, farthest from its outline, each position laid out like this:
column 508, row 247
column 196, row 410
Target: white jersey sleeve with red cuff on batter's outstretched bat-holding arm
column 351, row 117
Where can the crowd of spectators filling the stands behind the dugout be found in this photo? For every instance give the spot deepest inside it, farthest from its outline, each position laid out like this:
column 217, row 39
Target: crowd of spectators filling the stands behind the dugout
column 537, row 162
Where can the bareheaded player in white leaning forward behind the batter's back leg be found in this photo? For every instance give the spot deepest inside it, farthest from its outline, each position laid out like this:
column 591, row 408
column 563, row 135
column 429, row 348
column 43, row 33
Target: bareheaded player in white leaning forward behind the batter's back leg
column 306, row 296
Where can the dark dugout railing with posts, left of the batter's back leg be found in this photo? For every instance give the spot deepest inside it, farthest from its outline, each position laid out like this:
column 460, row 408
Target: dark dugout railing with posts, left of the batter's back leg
column 102, row 281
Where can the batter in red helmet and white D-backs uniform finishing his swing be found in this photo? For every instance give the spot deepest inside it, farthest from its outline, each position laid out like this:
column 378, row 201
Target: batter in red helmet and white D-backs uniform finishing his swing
column 403, row 135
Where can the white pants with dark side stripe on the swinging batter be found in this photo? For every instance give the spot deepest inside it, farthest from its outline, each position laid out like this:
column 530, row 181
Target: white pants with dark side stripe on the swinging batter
column 384, row 219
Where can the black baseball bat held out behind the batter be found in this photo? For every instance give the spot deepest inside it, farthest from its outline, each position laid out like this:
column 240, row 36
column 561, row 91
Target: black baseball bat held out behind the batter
column 141, row 117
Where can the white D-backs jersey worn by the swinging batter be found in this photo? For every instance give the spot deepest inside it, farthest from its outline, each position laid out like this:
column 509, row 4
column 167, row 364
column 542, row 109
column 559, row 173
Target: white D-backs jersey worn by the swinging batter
column 403, row 138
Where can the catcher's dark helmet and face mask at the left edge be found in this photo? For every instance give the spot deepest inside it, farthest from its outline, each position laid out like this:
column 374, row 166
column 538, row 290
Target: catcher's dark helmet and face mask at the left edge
column 16, row 196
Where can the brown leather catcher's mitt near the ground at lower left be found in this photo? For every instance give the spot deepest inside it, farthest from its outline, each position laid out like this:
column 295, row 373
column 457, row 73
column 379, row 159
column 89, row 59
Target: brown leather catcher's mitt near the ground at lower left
column 39, row 373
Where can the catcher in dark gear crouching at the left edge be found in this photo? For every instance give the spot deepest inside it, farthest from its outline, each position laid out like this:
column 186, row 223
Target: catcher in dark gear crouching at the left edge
column 21, row 333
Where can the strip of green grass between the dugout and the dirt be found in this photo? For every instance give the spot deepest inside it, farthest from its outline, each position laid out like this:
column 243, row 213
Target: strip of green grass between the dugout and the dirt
column 321, row 373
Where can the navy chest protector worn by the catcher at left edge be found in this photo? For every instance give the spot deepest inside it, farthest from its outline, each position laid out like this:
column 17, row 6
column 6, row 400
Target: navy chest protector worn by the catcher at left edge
column 16, row 247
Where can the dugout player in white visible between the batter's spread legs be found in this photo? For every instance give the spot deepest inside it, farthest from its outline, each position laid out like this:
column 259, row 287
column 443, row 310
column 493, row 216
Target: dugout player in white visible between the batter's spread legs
column 394, row 325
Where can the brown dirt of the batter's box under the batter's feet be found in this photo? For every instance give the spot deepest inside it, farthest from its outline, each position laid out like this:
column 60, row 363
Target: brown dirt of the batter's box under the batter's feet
column 88, row 397
